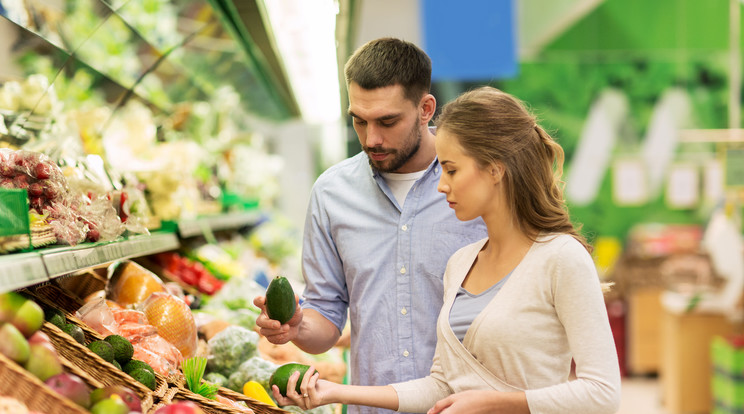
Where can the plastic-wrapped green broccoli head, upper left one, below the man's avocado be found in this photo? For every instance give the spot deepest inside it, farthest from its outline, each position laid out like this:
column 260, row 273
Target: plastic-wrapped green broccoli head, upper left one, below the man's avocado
column 229, row 348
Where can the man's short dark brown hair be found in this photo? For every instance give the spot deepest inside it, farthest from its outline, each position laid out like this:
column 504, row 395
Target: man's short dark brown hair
column 387, row 62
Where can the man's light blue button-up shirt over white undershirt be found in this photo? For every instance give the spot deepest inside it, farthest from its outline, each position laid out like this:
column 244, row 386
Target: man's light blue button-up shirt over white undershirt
column 363, row 253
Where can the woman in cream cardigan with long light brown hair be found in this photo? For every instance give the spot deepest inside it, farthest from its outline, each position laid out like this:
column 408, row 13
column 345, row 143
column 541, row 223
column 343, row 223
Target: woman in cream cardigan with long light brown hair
column 520, row 305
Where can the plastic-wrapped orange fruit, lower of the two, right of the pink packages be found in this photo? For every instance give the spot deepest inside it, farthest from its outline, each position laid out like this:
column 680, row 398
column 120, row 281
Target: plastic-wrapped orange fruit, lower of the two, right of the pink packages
column 173, row 318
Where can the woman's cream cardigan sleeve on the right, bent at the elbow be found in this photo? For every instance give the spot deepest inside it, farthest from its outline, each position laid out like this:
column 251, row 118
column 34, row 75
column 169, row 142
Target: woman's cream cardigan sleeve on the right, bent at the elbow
column 579, row 304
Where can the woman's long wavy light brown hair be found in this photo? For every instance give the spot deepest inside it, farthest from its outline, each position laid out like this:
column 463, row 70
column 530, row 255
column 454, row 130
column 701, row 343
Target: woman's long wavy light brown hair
column 493, row 126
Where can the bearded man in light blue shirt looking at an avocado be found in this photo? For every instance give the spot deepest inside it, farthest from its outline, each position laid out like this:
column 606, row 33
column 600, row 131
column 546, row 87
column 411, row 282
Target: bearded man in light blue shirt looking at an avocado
column 378, row 234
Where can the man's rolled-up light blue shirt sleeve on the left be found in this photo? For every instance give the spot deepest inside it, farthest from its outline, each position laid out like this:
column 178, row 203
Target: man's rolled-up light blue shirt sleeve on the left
column 325, row 284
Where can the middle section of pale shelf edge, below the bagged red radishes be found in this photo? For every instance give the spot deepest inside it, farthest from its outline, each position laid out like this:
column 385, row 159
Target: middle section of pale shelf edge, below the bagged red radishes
column 64, row 260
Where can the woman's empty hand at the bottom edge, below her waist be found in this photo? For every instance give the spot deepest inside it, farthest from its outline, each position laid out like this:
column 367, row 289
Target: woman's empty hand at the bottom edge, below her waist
column 482, row 402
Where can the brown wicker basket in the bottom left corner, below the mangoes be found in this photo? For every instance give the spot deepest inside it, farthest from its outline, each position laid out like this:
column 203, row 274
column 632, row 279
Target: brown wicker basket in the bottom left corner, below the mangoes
column 18, row 383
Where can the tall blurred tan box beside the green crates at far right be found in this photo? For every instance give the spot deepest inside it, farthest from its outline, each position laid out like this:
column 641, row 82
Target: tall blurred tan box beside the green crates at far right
column 686, row 366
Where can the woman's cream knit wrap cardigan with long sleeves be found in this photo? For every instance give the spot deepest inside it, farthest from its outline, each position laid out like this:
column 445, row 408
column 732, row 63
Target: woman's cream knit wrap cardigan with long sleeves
column 550, row 310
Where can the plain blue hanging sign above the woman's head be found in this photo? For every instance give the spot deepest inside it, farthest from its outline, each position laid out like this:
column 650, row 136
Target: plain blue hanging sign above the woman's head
column 471, row 39
